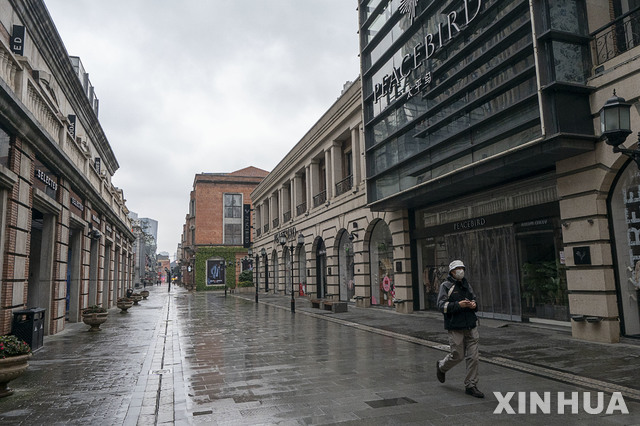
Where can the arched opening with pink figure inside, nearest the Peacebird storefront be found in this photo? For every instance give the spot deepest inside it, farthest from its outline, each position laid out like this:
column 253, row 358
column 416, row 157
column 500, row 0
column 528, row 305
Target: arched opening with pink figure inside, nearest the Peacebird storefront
column 381, row 265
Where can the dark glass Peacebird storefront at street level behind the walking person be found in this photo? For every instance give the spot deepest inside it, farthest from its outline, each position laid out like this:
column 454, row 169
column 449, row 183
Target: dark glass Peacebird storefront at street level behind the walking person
column 516, row 268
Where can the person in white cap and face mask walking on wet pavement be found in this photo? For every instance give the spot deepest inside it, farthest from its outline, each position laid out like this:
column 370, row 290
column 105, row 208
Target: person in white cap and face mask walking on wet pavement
column 457, row 302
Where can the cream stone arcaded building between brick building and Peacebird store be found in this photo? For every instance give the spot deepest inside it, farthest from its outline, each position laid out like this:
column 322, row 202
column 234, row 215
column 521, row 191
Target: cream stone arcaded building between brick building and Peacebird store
column 314, row 201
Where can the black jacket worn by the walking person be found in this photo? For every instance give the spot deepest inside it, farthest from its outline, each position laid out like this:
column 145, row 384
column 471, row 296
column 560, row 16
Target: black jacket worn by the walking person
column 456, row 317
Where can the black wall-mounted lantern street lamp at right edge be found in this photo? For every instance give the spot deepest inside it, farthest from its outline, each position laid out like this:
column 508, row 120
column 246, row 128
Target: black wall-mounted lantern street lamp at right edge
column 615, row 124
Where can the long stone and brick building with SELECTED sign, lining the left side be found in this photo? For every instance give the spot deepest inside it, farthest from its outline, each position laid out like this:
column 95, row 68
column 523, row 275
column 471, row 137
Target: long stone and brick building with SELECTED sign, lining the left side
column 65, row 239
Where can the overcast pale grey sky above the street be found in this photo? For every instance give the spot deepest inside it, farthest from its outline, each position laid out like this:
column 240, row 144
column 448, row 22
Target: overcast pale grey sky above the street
column 213, row 86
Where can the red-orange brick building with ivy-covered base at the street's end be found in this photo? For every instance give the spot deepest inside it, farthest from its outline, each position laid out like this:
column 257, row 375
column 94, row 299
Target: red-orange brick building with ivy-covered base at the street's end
column 213, row 231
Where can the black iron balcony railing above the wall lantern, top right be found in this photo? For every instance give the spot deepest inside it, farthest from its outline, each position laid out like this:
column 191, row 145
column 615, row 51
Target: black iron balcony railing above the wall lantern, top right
column 618, row 36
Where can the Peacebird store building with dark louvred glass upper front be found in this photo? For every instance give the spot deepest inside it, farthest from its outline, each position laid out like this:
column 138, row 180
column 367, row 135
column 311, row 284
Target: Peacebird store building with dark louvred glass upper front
column 481, row 127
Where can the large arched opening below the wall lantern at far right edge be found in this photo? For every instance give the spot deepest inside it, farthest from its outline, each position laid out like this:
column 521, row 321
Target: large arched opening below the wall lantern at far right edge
column 624, row 213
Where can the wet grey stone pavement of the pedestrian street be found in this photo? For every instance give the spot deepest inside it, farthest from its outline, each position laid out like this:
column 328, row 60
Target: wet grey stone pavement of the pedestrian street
column 203, row 358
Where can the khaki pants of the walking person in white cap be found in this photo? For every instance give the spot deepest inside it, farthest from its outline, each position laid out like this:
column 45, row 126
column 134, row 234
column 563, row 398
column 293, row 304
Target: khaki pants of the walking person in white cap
column 464, row 345
